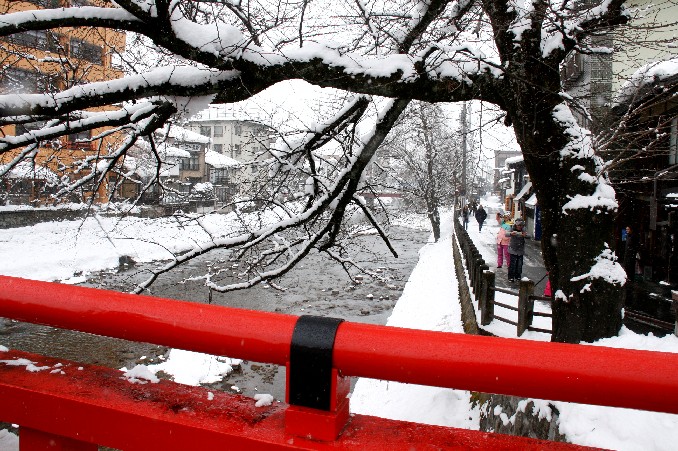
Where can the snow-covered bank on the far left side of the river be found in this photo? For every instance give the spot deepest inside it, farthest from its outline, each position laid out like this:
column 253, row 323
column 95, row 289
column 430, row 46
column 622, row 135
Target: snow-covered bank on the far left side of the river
column 55, row 251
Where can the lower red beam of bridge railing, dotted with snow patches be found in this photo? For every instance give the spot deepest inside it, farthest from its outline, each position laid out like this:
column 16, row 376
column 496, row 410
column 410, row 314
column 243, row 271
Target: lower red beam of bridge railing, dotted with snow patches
column 96, row 405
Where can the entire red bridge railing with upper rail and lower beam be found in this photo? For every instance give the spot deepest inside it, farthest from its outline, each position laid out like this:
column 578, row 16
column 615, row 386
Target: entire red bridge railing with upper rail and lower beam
column 85, row 405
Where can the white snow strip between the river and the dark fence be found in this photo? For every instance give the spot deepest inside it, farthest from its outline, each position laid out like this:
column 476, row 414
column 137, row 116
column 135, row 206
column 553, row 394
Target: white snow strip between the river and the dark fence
column 429, row 301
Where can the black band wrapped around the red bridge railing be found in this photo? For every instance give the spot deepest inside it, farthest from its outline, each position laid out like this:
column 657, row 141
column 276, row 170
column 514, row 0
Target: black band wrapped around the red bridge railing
column 311, row 349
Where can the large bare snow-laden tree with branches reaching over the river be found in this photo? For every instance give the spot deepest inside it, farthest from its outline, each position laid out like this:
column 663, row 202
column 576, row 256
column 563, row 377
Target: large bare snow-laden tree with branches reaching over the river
column 504, row 53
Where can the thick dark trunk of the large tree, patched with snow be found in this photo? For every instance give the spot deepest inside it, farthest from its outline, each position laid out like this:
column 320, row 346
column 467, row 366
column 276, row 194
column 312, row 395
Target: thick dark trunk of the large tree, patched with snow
column 586, row 280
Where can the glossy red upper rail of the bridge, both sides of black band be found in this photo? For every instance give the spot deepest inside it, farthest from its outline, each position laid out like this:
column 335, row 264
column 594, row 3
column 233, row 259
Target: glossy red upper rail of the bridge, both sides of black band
column 553, row 371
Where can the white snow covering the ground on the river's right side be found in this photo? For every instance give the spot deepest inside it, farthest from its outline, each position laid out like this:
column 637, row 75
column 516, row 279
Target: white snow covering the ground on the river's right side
column 430, row 301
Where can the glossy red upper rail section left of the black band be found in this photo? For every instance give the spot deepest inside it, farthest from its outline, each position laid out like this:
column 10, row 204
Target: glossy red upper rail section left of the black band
column 246, row 334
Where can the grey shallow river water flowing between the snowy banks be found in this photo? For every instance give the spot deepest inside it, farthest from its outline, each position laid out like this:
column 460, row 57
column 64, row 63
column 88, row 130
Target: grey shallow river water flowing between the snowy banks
column 316, row 286
